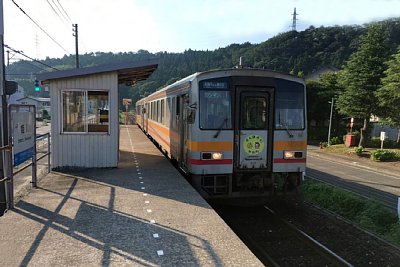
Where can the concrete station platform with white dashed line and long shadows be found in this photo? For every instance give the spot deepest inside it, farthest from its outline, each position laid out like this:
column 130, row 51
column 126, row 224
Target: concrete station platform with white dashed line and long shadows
column 143, row 213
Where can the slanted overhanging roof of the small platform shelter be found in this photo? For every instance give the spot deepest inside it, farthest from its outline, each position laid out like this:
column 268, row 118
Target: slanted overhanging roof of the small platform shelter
column 128, row 72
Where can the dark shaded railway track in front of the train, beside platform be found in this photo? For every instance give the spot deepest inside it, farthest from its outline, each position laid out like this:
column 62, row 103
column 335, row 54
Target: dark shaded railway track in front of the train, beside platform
column 275, row 241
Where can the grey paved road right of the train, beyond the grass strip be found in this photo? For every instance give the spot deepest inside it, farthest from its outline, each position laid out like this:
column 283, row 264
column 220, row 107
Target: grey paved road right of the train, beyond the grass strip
column 355, row 176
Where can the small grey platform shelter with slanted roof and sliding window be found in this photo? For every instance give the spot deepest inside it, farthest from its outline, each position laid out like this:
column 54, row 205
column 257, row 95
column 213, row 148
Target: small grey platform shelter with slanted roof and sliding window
column 84, row 112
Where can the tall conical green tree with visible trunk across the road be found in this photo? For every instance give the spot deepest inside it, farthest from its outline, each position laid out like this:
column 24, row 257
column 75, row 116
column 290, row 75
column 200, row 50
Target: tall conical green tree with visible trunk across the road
column 361, row 77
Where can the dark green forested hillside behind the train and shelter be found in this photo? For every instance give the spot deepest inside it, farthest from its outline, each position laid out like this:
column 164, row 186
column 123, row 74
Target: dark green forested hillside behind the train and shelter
column 296, row 52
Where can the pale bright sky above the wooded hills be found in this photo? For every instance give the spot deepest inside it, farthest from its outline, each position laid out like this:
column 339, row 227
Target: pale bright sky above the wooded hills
column 170, row 25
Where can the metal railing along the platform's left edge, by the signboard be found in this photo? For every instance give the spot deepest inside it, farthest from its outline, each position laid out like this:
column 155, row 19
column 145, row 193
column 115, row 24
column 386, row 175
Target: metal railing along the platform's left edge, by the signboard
column 9, row 178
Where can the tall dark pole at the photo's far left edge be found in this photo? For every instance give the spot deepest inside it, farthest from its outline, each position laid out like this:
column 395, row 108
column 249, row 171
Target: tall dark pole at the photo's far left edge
column 3, row 121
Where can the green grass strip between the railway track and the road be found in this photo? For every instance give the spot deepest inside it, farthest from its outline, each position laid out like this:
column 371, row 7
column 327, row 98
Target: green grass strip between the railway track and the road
column 367, row 214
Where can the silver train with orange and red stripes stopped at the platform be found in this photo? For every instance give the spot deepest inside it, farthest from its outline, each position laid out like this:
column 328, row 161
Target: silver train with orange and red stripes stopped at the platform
column 234, row 132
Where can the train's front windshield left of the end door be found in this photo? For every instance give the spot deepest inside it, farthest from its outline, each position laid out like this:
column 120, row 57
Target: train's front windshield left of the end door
column 215, row 105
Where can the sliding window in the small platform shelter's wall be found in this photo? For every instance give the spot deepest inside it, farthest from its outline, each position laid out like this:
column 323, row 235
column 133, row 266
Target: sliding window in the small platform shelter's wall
column 85, row 111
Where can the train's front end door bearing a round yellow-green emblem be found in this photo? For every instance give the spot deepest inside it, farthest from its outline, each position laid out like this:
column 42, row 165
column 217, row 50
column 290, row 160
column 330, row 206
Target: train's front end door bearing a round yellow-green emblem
column 253, row 128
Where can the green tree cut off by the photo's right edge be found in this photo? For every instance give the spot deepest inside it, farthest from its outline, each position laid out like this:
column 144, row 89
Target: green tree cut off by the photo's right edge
column 389, row 94
